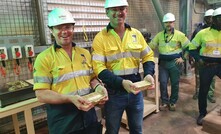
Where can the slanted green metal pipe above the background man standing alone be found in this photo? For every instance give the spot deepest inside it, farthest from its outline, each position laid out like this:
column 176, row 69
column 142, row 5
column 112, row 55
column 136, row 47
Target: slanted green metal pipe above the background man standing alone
column 159, row 11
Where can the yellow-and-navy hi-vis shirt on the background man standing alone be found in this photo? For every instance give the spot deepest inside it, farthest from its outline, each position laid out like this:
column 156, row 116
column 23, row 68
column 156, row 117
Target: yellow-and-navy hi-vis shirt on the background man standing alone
column 170, row 45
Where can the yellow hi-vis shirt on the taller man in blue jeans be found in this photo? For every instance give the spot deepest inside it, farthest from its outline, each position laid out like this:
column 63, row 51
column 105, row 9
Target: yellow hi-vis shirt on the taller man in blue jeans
column 122, row 57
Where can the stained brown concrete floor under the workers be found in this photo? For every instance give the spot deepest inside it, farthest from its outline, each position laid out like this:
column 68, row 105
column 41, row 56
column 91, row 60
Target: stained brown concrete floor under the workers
column 181, row 121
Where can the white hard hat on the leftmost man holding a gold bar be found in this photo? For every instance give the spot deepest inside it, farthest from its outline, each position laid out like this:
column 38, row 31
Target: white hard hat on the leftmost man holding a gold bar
column 59, row 16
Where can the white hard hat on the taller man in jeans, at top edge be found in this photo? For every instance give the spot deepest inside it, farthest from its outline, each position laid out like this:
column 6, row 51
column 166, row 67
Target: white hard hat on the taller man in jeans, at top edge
column 115, row 3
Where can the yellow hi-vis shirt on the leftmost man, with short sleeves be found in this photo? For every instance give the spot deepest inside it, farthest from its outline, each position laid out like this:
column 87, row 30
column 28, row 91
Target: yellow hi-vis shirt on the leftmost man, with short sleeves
column 54, row 70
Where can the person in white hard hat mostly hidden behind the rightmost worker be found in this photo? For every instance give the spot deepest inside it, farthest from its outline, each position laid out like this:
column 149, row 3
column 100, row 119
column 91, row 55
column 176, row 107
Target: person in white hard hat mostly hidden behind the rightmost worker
column 208, row 22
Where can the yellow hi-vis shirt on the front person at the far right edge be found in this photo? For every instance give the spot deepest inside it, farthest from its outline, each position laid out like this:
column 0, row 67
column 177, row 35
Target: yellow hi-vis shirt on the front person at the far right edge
column 209, row 40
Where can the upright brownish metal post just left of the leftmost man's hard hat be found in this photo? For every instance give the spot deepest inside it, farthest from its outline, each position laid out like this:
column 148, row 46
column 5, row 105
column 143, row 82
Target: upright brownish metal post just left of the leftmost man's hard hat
column 41, row 22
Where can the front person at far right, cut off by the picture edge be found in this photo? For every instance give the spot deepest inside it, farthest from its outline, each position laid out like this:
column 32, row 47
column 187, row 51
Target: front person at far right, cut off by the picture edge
column 209, row 58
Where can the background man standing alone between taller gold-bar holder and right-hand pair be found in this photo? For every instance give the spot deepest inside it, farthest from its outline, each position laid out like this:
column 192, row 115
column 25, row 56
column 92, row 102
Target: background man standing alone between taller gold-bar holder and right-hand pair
column 170, row 43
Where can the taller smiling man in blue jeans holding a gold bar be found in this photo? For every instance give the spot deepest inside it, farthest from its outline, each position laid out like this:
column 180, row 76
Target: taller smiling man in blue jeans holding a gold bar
column 117, row 52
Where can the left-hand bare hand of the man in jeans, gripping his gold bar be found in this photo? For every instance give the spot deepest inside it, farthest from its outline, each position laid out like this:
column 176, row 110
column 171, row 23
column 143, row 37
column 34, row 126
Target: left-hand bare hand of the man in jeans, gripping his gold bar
column 130, row 87
